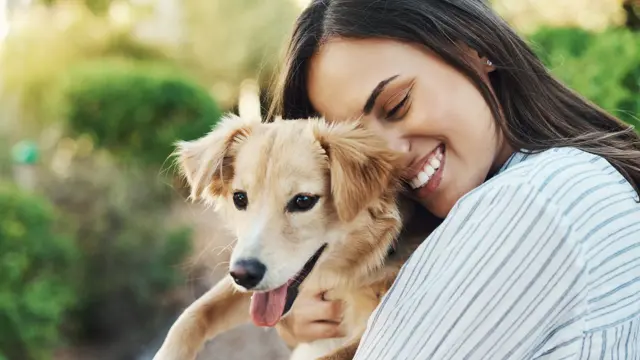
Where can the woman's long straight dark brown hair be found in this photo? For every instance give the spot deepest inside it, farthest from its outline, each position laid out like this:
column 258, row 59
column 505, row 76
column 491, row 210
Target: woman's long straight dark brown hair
column 534, row 110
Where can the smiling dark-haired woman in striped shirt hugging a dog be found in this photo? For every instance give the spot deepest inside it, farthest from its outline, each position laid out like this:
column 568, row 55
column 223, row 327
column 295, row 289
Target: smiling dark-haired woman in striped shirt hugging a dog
column 538, row 254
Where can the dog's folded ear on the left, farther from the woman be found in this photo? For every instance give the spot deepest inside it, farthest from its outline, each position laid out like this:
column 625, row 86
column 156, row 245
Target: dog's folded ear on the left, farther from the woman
column 207, row 162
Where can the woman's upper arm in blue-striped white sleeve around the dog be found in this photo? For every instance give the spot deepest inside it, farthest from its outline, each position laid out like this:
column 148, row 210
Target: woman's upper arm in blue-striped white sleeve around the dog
column 498, row 279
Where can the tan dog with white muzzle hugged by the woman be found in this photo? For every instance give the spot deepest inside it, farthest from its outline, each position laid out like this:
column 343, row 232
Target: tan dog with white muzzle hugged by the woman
column 312, row 204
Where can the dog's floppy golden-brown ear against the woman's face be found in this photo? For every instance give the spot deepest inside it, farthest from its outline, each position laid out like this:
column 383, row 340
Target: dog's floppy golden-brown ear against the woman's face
column 361, row 165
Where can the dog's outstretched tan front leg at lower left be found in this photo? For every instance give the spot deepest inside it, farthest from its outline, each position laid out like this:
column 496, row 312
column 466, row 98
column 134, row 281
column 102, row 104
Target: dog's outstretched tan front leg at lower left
column 218, row 310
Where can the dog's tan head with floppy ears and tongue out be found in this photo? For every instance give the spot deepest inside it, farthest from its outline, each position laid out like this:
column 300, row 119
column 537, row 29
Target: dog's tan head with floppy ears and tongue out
column 288, row 189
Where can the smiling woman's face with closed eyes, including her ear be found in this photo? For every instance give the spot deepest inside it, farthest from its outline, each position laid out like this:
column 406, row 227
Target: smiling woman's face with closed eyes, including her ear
column 421, row 105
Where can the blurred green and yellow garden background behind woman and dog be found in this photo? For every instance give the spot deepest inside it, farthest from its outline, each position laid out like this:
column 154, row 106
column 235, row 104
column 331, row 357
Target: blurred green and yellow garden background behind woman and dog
column 99, row 251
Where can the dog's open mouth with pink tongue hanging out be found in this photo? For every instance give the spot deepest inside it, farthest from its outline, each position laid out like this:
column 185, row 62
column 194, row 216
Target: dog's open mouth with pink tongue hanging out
column 268, row 307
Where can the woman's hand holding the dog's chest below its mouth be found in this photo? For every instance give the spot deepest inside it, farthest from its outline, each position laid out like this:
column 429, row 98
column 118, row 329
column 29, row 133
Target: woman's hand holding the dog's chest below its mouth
column 311, row 318
